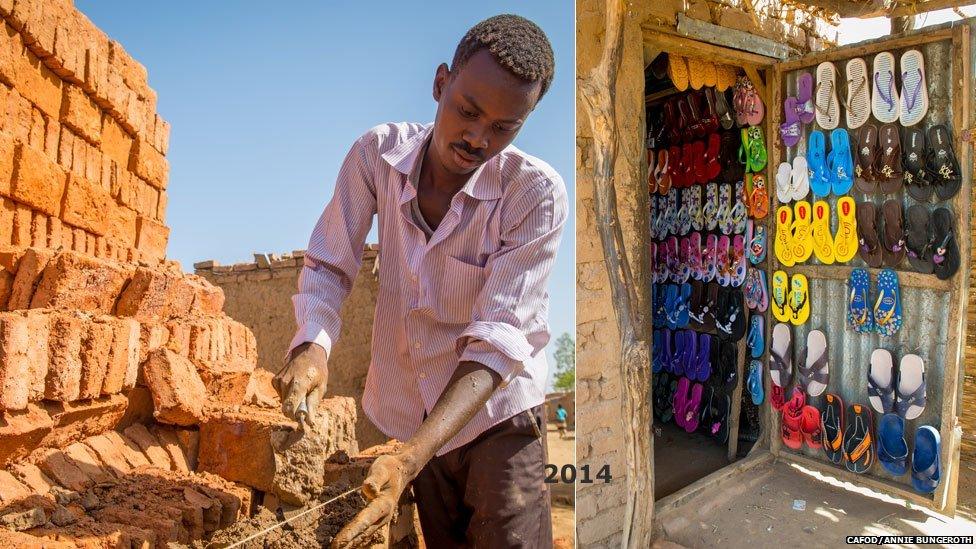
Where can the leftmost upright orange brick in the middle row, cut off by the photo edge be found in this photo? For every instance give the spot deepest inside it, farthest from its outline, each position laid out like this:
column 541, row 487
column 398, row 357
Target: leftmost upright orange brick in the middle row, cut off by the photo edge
column 14, row 367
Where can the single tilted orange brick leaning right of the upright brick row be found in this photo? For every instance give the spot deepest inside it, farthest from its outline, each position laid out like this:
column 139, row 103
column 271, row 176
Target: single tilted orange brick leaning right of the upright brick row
column 177, row 390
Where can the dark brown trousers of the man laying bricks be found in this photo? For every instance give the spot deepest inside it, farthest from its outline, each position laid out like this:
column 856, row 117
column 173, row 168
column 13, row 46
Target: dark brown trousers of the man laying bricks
column 490, row 492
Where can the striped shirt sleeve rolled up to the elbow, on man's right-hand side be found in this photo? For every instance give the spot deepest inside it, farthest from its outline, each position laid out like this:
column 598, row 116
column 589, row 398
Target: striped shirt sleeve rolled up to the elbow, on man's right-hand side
column 509, row 324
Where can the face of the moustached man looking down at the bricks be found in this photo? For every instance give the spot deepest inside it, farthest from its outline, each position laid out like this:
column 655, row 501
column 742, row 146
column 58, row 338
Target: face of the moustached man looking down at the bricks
column 480, row 109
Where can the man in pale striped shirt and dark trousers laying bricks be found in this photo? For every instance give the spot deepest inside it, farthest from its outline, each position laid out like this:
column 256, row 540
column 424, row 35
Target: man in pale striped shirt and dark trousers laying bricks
column 468, row 231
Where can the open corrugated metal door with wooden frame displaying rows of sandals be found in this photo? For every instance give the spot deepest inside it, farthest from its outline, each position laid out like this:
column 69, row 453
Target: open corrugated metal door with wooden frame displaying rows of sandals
column 869, row 252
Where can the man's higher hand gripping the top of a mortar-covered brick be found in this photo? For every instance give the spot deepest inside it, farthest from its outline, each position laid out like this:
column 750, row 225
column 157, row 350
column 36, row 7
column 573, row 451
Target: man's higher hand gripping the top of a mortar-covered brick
column 304, row 378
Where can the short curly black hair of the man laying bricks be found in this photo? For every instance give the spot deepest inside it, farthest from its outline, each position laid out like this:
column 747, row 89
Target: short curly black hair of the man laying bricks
column 516, row 43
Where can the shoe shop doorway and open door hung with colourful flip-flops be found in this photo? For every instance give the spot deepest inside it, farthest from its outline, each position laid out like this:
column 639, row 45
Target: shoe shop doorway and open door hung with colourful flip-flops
column 809, row 236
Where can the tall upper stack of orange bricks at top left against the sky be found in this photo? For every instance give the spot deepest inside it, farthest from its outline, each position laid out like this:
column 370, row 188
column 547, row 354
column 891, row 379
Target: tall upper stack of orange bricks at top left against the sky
column 82, row 149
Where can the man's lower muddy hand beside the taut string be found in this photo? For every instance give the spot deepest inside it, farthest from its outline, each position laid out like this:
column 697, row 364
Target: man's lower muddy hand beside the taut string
column 388, row 477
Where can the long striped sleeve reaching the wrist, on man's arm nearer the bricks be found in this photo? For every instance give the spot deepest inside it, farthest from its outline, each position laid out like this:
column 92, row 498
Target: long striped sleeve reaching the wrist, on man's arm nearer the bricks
column 335, row 249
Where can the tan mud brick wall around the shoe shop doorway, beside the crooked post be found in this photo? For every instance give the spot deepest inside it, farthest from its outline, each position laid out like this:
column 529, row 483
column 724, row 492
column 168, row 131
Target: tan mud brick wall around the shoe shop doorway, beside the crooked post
column 601, row 508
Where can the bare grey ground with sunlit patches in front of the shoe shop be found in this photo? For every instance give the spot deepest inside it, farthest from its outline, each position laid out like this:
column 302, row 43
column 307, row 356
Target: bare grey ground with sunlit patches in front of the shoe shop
column 755, row 509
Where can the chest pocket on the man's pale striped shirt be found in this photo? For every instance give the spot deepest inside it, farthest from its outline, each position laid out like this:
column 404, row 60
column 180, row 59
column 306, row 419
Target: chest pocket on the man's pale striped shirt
column 456, row 290
